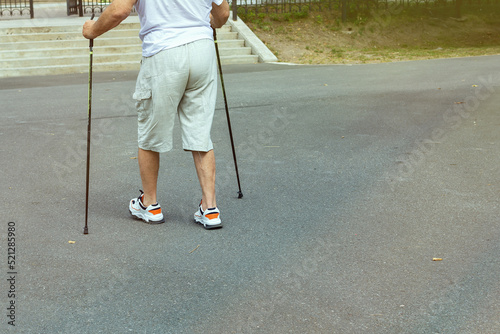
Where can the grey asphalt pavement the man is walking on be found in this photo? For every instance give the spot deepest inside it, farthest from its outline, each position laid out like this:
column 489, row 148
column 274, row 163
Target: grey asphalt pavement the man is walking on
column 354, row 179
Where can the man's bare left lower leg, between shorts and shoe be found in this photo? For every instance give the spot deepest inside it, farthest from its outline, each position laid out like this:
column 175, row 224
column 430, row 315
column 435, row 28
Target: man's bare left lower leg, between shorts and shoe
column 149, row 164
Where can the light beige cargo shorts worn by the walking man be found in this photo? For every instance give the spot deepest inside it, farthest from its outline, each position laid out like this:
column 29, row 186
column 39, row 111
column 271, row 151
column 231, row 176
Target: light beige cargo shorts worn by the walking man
column 182, row 82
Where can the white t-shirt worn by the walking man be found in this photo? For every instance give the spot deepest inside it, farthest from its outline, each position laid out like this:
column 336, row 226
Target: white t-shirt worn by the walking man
column 169, row 23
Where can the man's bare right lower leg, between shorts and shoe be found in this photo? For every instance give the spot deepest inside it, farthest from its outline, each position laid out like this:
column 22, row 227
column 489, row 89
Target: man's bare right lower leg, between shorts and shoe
column 205, row 168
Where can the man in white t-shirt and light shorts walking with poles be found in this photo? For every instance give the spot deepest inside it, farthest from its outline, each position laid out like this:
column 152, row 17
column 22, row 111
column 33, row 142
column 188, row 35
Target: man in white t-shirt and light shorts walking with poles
column 178, row 76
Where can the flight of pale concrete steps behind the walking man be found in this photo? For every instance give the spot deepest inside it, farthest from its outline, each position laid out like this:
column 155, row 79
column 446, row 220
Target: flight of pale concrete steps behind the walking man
column 62, row 50
